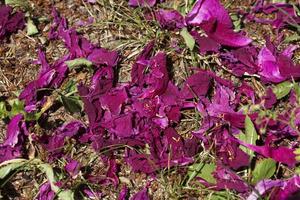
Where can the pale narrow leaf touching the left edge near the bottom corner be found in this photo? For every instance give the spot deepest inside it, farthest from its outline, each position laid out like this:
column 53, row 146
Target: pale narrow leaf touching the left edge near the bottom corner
column 9, row 166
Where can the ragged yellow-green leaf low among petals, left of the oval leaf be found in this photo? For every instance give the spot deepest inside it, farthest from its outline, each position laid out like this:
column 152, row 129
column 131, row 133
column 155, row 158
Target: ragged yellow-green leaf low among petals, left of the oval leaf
column 202, row 170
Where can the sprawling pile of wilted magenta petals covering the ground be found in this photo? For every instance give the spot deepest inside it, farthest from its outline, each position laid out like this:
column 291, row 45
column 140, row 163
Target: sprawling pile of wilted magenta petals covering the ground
column 240, row 117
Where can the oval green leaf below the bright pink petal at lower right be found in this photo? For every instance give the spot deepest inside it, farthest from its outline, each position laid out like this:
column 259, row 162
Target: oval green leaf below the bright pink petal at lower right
column 264, row 169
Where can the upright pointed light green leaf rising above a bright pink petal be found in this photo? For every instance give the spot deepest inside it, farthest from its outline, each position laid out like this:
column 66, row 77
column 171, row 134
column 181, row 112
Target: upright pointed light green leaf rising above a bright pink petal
column 250, row 135
